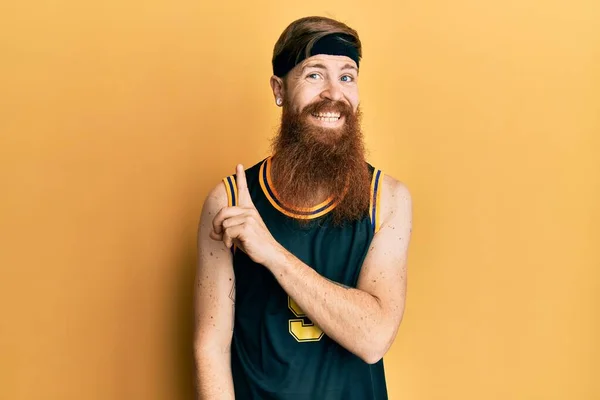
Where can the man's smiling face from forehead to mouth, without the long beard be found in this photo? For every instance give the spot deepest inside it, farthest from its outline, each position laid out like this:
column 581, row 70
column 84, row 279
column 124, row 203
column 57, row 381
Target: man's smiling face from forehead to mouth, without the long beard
column 325, row 88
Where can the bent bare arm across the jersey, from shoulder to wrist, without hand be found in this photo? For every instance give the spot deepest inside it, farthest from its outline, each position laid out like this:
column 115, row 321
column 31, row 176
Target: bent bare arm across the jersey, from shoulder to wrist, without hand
column 362, row 320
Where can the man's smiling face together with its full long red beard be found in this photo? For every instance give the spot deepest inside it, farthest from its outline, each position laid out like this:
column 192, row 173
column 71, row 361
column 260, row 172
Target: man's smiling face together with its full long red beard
column 320, row 146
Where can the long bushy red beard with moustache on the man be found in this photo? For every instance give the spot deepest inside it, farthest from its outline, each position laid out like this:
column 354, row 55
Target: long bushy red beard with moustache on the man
column 310, row 159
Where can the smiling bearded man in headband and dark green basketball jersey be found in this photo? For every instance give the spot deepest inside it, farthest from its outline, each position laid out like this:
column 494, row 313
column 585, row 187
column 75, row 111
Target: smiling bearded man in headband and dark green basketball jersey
column 301, row 275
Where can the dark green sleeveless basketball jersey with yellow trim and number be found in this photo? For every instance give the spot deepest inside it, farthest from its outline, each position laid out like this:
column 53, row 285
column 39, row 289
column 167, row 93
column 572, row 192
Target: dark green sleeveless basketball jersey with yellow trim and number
column 276, row 351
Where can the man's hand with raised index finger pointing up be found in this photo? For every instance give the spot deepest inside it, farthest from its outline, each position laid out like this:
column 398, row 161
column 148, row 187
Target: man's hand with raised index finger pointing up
column 243, row 226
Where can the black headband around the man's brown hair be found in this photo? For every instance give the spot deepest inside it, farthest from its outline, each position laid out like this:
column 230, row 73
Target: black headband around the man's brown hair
column 335, row 44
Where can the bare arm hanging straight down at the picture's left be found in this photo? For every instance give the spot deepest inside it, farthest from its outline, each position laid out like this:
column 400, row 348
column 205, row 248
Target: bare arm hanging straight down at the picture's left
column 214, row 306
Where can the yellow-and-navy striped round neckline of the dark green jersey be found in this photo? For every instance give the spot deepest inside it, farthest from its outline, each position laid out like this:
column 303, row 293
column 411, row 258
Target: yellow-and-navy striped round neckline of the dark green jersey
column 266, row 183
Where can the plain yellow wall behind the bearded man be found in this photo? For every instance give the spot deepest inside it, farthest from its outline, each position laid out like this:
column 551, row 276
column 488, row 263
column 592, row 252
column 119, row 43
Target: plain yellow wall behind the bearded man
column 117, row 117
